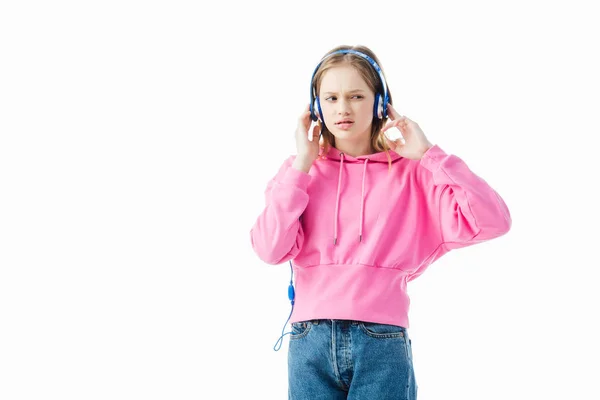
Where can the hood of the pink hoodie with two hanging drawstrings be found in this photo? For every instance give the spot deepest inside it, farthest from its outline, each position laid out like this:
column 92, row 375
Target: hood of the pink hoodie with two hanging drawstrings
column 341, row 157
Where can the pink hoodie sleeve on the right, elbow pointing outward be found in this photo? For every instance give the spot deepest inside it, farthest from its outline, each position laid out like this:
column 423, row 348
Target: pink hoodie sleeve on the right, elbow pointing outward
column 469, row 211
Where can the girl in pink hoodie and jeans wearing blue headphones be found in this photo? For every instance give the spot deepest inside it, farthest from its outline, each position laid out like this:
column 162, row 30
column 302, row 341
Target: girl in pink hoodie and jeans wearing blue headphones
column 360, row 216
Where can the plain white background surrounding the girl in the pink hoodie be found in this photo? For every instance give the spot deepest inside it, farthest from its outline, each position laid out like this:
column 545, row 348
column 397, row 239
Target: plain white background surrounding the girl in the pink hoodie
column 137, row 139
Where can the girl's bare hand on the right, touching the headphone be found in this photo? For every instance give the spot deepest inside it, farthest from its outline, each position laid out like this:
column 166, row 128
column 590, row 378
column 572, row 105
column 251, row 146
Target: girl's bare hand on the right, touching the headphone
column 415, row 143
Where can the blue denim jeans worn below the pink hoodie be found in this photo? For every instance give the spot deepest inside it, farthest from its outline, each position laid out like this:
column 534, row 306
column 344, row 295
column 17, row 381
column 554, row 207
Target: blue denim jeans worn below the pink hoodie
column 354, row 360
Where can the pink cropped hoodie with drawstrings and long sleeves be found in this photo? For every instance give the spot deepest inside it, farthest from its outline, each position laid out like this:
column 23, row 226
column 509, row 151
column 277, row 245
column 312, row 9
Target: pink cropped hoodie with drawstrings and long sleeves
column 358, row 233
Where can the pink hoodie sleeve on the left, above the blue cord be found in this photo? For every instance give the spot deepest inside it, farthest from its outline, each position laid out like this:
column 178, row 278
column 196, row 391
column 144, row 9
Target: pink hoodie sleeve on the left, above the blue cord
column 277, row 234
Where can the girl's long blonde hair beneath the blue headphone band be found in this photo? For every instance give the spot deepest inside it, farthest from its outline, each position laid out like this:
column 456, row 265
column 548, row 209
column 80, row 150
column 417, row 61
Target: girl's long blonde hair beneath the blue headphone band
column 372, row 79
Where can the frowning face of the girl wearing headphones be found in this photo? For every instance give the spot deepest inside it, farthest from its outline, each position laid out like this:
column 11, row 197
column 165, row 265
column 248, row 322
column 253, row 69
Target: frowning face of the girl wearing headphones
column 345, row 96
